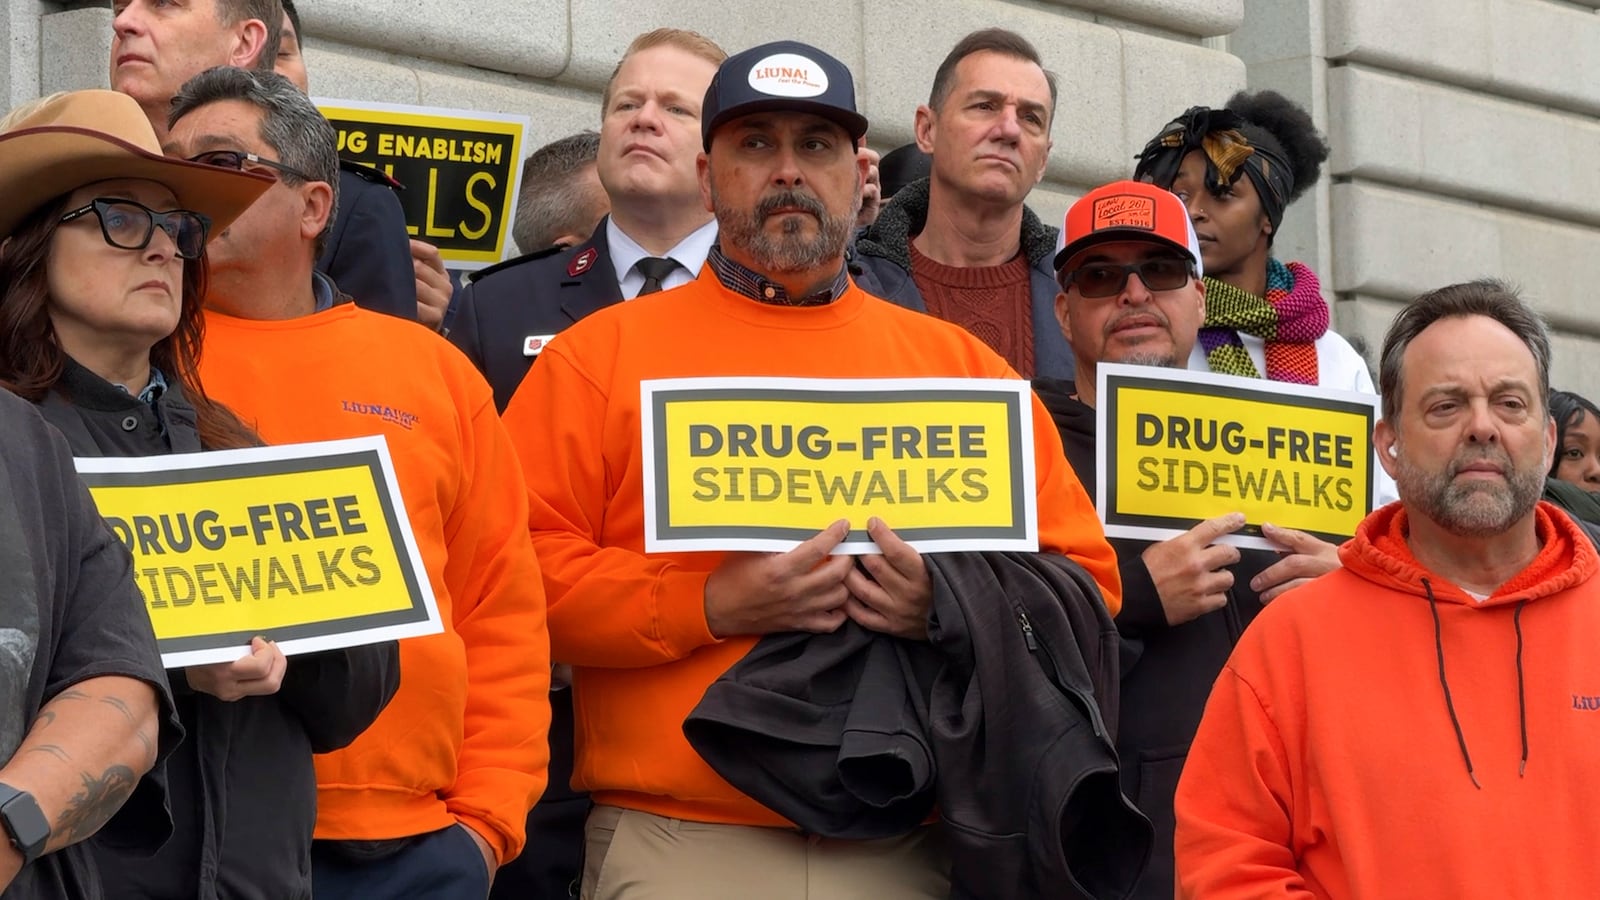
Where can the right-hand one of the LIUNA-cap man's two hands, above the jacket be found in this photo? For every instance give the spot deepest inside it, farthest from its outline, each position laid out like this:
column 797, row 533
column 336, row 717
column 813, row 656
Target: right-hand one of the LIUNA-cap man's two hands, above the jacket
column 895, row 593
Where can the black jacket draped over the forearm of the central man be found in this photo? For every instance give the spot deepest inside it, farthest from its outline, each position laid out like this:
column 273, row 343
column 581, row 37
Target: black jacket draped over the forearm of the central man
column 998, row 721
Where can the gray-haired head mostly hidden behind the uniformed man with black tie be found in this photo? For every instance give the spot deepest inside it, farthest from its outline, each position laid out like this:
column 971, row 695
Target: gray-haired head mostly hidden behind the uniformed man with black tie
column 553, row 199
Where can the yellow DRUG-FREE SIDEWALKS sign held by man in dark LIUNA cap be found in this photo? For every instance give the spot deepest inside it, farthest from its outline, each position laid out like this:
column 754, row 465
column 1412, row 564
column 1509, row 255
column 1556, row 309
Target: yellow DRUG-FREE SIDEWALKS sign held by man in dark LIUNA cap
column 766, row 464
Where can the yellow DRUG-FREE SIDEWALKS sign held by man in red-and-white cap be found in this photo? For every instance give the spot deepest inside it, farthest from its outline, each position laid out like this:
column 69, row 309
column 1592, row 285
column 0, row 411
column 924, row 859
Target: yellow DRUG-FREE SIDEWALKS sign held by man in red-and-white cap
column 1180, row 448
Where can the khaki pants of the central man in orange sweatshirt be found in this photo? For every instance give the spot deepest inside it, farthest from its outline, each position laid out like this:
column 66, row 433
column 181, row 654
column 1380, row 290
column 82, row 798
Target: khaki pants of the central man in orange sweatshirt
column 636, row 856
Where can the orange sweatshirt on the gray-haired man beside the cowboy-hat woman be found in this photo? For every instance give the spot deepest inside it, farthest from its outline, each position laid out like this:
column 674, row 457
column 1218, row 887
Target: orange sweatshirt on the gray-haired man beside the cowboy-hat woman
column 465, row 737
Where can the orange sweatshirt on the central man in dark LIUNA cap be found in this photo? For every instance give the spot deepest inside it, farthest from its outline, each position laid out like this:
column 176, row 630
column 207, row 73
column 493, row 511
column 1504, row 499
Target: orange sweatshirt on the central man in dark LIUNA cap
column 634, row 625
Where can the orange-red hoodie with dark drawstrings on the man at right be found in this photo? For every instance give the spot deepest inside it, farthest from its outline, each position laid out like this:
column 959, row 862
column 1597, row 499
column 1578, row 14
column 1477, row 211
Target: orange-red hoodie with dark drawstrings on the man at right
column 1330, row 763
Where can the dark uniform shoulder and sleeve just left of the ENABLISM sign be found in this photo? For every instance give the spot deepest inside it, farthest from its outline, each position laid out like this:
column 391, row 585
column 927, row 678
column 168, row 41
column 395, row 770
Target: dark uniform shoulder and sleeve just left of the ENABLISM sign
column 369, row 251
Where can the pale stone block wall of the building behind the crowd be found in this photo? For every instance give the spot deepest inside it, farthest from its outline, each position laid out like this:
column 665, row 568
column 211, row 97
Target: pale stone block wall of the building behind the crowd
column 1466, row 134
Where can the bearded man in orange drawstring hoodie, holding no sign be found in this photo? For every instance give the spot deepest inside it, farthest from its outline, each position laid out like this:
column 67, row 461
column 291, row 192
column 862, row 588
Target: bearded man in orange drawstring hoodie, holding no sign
column 1422, row 723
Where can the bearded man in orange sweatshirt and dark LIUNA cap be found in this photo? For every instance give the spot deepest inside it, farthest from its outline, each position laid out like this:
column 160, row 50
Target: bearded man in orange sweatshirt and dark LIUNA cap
column 649, row 633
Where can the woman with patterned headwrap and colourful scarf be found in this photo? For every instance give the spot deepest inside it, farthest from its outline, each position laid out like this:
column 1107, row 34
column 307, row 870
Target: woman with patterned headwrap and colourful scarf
column 1239, row 169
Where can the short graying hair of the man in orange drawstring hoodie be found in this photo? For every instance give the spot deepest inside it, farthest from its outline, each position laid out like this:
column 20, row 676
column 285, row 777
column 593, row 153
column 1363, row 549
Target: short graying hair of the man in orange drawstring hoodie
column 1490, row 299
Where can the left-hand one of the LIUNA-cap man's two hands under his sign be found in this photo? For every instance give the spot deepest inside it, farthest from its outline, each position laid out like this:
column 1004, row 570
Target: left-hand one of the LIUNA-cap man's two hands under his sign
column 801, row 590
